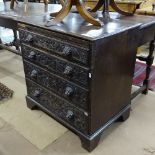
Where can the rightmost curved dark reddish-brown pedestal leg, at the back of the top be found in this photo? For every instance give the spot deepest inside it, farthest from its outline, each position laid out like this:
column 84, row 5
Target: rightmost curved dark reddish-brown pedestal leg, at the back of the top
column 117, row 9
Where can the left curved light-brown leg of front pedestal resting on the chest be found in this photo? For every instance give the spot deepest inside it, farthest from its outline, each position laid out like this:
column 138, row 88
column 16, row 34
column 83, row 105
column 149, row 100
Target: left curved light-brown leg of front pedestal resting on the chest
column 61, row 15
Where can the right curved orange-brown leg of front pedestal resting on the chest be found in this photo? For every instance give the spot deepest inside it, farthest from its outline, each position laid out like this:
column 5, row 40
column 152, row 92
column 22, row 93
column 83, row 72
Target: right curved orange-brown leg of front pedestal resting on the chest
column 85, row 14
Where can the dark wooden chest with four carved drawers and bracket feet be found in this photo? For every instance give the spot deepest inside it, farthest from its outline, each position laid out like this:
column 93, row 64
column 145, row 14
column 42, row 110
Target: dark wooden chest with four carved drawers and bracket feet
column 81, row 75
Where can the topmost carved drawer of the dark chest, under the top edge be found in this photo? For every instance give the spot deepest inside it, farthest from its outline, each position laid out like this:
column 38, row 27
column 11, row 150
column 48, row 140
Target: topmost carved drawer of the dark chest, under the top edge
column 54, row 46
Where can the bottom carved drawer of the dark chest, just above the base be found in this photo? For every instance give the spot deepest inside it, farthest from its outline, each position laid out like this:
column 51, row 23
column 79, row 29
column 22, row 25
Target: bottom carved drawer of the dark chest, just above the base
column 59, row 107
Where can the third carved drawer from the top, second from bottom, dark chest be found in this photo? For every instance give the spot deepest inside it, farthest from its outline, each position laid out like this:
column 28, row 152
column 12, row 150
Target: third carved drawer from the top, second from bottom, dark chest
column 63, row 88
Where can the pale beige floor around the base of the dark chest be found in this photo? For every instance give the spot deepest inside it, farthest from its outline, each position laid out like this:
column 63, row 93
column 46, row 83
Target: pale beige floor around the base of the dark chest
column 19, row 135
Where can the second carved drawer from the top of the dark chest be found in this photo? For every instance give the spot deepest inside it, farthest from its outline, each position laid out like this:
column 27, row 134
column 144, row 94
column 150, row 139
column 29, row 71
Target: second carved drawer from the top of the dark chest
column 59, row 66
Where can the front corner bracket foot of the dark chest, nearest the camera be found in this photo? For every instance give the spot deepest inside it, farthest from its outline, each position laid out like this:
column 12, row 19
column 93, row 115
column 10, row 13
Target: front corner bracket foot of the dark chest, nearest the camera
column 90, row 145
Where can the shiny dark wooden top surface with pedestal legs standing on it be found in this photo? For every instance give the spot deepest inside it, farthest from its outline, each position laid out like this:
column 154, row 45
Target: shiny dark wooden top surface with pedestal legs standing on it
column 36, row 14
